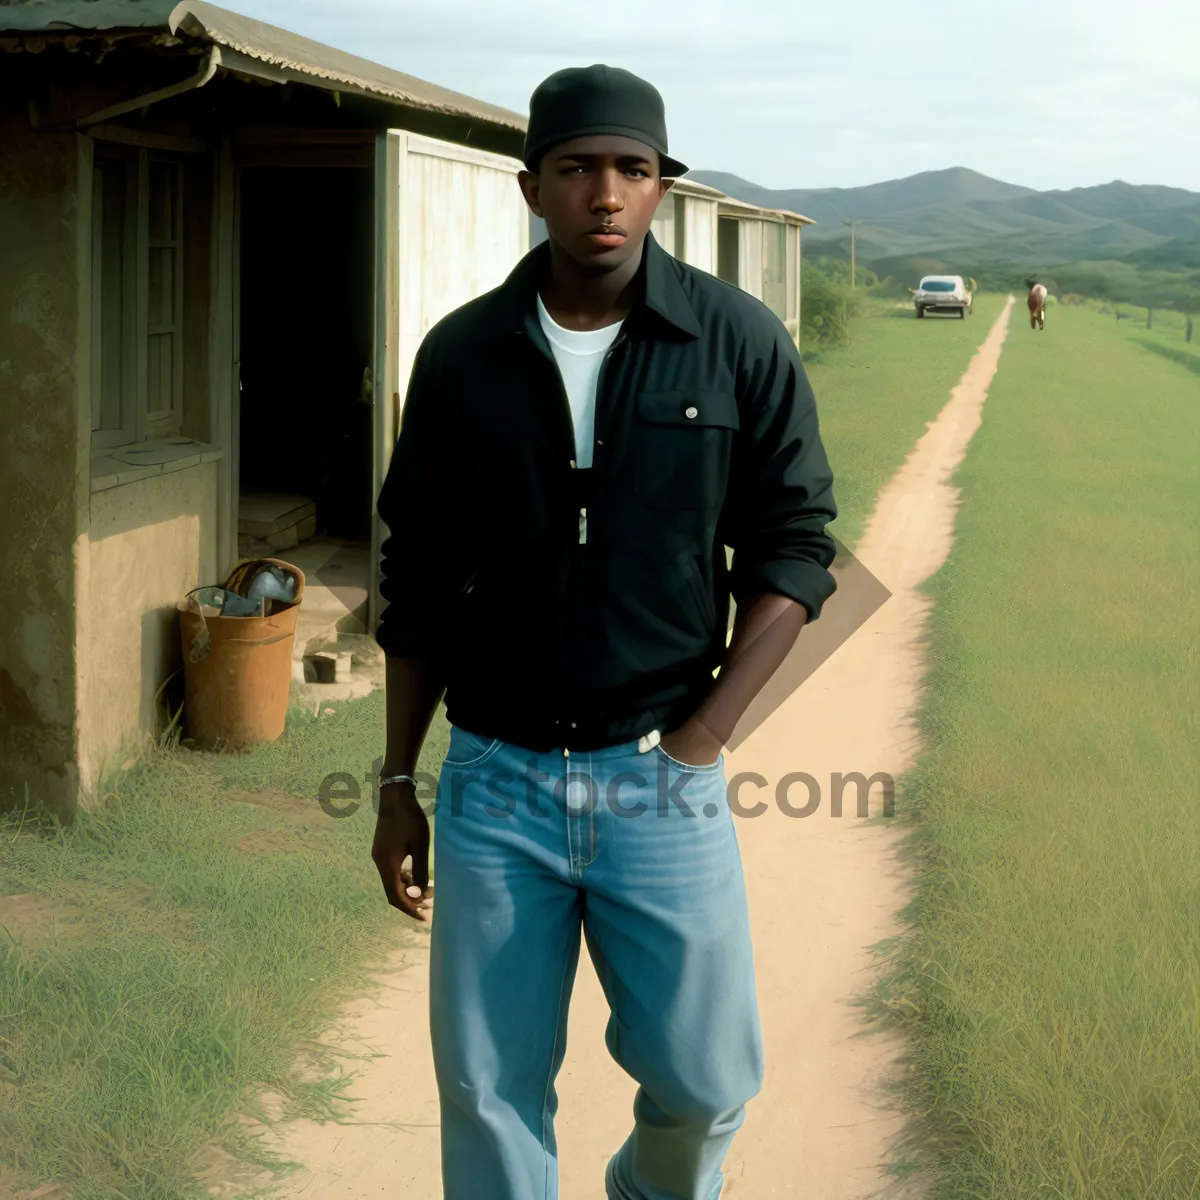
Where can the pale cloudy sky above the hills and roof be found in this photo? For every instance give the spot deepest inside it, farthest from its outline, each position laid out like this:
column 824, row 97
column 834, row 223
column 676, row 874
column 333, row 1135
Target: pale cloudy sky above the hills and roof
column 787, row 94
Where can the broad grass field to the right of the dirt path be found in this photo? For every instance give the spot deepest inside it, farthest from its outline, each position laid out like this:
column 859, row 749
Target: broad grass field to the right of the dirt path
column 1052, row 973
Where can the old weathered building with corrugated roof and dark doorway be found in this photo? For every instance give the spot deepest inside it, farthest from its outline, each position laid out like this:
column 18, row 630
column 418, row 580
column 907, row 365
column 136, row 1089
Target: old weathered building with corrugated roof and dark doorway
column 221, row 245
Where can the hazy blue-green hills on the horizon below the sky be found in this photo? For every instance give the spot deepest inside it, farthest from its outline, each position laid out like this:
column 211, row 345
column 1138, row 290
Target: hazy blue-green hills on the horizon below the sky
column 962, row 217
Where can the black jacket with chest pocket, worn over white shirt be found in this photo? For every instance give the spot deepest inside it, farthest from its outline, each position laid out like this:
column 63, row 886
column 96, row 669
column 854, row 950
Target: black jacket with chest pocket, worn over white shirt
column 581, row 609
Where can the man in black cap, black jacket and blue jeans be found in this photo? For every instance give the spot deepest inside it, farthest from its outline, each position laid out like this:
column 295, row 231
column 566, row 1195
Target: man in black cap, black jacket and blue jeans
column 578, row 449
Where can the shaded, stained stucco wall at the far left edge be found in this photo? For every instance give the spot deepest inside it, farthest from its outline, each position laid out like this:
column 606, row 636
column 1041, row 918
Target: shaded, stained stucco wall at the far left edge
column 41, row 503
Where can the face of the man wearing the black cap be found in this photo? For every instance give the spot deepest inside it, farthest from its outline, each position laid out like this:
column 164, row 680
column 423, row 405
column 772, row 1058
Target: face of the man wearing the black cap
column 598, row 197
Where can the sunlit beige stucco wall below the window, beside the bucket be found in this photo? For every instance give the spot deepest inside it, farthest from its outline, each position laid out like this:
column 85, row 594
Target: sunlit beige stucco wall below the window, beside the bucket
column 152, row 542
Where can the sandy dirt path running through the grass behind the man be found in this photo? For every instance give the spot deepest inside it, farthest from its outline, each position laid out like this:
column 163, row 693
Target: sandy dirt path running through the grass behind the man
column 823, row 891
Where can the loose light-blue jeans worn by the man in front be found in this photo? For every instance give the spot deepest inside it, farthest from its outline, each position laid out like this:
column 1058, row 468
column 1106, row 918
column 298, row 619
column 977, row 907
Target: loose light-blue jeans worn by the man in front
column 531, row 850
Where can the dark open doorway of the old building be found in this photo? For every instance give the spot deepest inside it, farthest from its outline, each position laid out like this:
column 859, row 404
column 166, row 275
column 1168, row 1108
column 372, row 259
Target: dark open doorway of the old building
column 308, row 303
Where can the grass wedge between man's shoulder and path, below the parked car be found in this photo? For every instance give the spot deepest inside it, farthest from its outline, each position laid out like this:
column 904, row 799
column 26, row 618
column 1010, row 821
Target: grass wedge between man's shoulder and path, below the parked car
column 877, row 395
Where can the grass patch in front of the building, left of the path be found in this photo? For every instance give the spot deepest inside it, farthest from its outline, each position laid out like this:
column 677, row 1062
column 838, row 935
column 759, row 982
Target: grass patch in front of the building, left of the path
column 200, row 941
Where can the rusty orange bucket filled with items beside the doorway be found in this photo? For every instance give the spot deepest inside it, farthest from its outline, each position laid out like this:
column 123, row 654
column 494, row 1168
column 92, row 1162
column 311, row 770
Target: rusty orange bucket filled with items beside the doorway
column 238, row 670
